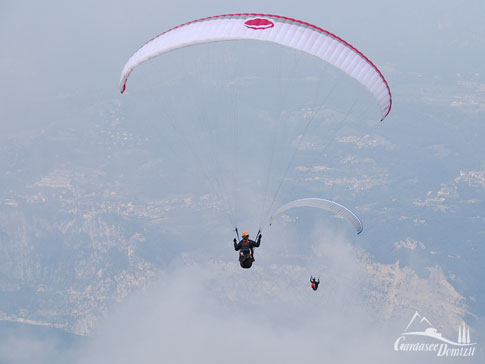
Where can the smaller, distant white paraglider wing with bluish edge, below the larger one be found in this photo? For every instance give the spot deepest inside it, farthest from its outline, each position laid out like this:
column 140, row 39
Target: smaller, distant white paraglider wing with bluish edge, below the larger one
column 328, row 205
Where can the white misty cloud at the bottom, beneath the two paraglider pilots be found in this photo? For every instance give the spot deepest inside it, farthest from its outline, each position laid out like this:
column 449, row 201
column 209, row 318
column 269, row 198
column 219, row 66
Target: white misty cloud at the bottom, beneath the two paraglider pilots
column 218, row 313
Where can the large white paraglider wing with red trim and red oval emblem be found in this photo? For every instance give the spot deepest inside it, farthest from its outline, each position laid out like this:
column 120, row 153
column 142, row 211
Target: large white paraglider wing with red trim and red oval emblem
column 288, row 32
